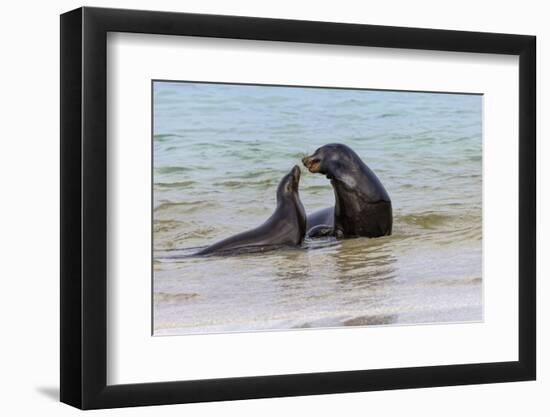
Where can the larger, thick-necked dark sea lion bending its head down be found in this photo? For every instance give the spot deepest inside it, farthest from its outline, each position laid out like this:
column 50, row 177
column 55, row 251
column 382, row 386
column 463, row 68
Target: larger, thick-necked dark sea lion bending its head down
column 362, row 208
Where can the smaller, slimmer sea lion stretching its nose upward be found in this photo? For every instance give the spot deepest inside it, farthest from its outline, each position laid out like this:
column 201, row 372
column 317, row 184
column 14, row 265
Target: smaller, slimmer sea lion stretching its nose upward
column 285, row 227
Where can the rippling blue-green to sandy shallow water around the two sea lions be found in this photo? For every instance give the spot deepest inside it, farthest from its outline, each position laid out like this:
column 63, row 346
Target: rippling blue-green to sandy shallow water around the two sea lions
column 219, row 151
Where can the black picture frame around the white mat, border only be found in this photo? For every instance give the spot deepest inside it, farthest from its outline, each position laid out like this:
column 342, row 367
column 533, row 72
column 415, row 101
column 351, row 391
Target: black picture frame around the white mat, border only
column 84, row 207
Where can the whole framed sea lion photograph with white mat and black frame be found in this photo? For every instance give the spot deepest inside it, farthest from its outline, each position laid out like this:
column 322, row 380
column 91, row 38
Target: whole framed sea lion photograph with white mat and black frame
column 259, row 208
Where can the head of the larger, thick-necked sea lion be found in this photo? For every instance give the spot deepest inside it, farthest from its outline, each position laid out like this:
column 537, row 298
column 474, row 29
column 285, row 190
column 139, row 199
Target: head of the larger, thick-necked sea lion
column 334, row 160
